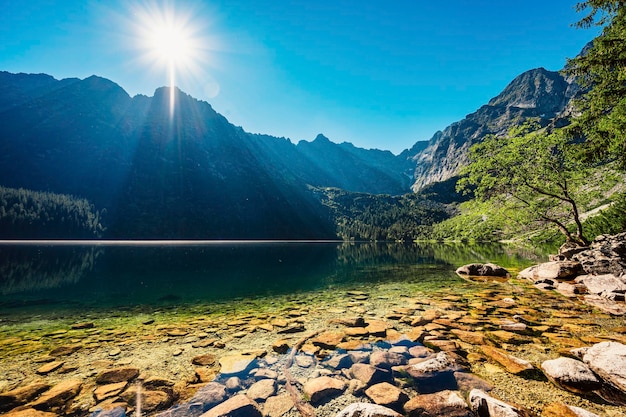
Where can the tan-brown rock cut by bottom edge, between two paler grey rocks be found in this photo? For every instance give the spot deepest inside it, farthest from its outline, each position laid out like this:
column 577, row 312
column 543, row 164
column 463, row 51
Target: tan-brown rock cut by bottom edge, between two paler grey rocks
column 443, row 403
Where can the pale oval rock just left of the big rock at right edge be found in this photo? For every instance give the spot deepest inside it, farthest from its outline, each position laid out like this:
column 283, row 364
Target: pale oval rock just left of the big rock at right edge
column 571, row 375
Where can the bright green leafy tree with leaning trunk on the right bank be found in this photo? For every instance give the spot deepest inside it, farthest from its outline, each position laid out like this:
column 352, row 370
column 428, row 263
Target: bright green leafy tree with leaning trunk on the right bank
column 532, row 176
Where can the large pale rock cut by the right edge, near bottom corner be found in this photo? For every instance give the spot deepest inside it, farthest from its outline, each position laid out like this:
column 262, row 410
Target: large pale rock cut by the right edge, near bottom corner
column 608, row 361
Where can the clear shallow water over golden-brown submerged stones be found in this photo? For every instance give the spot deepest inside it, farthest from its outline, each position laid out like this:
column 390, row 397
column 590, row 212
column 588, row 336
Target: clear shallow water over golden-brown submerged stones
column 165, row 343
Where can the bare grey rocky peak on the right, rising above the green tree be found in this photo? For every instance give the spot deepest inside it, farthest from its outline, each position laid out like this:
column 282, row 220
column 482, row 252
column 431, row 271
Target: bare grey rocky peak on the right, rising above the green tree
column 538, row 94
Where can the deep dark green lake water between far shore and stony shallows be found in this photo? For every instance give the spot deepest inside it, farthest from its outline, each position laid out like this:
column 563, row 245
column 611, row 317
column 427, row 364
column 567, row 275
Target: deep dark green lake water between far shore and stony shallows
column 48, row 278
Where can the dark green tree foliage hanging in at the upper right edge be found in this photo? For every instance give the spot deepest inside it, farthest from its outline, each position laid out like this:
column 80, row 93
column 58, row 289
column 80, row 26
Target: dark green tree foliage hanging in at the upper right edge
column 601, row 71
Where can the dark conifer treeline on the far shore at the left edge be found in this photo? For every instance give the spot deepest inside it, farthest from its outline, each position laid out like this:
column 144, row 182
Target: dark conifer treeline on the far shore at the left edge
column 27, row 214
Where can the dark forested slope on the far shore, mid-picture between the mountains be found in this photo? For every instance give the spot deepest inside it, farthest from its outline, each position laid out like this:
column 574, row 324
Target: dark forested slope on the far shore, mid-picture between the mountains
column 360, row 216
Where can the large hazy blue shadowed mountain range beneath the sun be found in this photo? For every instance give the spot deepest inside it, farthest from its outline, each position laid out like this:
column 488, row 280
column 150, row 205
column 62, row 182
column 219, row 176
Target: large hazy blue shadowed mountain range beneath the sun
column 189, row 173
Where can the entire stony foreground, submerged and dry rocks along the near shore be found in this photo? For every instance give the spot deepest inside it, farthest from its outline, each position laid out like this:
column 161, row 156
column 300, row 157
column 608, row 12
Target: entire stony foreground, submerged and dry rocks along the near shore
column 493, row 348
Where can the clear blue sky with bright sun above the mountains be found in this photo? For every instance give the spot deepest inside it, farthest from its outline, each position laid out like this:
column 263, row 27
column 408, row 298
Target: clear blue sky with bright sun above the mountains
column 379, row 74
